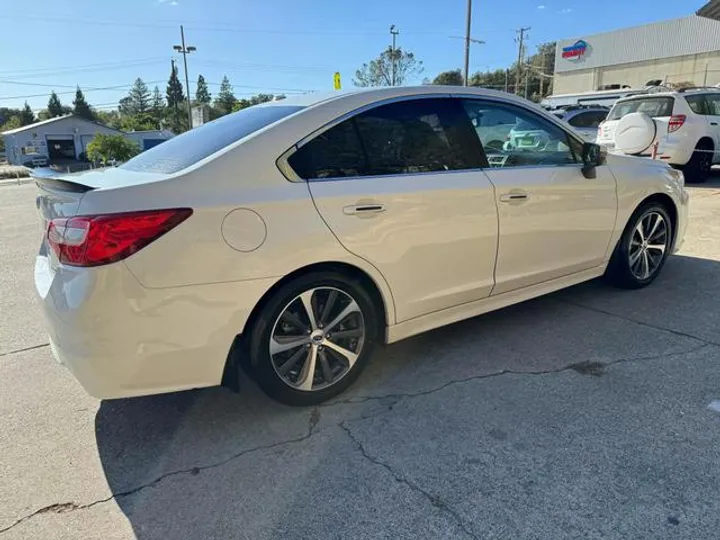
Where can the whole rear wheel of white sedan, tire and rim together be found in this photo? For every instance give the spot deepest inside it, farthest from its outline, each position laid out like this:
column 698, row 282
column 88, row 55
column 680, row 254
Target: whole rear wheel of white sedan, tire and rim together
column 313, row 338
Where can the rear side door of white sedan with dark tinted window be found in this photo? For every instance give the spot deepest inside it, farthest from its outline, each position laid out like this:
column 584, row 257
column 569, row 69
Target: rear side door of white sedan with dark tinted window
column 400, row 187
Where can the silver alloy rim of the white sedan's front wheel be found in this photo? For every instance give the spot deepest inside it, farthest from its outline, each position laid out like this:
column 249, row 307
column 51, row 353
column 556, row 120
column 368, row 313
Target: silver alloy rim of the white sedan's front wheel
column 648, row 244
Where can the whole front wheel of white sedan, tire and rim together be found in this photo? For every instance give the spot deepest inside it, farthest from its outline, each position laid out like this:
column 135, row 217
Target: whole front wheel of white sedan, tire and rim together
column 643, row 248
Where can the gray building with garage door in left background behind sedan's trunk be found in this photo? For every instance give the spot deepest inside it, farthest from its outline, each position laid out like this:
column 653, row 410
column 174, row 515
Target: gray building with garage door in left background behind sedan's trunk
column 64, row 139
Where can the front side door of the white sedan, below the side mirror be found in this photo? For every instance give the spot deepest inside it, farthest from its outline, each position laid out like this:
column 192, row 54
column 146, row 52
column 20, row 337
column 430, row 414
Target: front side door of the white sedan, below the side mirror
column 553, row 221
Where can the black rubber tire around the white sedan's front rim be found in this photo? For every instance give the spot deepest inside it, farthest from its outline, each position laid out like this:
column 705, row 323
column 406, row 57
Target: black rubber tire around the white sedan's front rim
column 620, row 270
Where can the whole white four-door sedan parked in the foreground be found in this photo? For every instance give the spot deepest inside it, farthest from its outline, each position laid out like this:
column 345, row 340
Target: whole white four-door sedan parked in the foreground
column 296, row 235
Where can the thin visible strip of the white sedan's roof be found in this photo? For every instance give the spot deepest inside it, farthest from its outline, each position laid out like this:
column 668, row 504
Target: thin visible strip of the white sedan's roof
column 378, row 94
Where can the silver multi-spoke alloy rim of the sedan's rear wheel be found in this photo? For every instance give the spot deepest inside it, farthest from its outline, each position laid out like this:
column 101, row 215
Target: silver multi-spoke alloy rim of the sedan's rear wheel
column 317, row 338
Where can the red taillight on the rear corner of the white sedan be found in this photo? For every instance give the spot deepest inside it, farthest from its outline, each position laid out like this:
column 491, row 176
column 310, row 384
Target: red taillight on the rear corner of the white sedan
column 98, row 240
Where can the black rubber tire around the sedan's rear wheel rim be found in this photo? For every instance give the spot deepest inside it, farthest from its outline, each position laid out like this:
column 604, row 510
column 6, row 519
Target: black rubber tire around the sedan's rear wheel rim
column 266, row 372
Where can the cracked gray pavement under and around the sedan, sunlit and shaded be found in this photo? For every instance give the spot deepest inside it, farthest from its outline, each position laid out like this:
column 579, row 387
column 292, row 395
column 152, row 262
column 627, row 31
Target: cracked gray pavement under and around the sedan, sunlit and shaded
column 590, row 413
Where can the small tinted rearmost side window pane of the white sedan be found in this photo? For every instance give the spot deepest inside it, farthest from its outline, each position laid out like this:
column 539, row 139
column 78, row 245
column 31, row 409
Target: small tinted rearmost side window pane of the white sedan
column 336, row 153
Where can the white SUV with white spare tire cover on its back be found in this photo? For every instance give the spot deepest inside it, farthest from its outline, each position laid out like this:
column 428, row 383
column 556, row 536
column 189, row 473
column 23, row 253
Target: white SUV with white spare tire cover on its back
column 681, row 128
